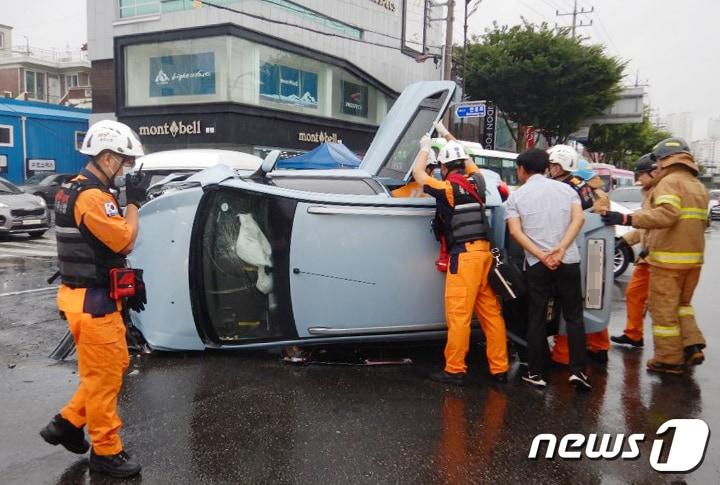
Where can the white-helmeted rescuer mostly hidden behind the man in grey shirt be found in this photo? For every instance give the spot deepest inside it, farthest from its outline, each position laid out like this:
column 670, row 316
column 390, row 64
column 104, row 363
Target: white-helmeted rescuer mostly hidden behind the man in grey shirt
column 566, row 166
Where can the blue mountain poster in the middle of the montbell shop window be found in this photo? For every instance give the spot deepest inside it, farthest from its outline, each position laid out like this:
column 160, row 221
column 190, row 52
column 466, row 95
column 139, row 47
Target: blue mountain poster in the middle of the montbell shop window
column 283, row 84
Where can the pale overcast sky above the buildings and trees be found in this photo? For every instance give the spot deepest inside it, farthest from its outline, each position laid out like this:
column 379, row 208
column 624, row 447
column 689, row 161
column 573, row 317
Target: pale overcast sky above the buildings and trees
column 673, row 44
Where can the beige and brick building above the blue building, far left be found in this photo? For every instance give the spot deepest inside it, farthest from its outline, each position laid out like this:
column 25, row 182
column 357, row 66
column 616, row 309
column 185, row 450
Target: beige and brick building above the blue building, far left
column 34, row 74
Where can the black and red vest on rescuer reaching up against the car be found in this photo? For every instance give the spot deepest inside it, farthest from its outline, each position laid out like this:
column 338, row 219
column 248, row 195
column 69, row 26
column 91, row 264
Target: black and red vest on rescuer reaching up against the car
column 467, row 221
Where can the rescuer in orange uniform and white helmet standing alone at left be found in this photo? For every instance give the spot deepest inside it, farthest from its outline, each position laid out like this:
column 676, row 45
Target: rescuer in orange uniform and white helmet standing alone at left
column 93, row 237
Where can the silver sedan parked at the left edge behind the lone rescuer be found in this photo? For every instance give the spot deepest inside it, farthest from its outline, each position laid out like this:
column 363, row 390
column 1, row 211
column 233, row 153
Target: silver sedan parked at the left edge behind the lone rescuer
column 21, row 212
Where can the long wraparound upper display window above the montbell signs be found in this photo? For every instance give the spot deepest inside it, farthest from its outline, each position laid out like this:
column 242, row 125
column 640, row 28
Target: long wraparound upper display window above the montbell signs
column 217, row 69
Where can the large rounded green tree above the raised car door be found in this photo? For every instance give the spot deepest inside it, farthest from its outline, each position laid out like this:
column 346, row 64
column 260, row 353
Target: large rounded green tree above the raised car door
column 541, row 77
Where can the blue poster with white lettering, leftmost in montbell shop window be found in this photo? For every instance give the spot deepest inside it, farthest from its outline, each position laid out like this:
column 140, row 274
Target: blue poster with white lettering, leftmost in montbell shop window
column 182, row 75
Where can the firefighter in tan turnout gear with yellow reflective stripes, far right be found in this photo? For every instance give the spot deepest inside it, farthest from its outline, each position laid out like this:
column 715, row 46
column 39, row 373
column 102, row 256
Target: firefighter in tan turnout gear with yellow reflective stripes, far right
column 676, row 225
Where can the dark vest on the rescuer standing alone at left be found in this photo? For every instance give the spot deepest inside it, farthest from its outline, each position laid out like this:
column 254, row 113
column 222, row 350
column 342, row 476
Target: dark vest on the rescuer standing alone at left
column 83, row 260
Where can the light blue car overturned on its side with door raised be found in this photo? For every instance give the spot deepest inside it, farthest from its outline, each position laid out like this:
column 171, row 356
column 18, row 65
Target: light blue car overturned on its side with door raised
column 286, row 257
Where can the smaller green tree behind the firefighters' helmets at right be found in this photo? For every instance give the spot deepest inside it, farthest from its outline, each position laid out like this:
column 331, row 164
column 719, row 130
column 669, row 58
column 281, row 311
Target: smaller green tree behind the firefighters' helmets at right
column 622, row 144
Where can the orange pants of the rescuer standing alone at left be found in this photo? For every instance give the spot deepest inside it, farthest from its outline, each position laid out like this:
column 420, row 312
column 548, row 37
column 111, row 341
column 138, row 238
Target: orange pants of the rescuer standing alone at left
column 102, row 360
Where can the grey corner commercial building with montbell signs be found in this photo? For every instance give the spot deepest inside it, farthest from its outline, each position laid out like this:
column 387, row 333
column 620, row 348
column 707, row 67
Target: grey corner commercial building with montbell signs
column 257, row 75
